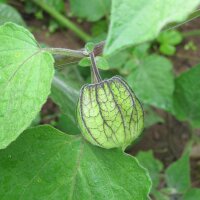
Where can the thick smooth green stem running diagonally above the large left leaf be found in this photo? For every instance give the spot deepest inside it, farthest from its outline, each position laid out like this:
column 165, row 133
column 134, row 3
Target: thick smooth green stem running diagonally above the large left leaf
column 63, row 20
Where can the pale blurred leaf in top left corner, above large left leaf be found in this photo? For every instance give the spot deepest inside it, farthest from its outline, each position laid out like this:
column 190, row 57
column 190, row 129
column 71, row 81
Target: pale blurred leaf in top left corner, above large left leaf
column 10, row 14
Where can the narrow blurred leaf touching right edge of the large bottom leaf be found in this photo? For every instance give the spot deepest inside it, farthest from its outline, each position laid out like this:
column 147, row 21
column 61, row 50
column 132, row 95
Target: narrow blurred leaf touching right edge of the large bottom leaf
column 153, row 165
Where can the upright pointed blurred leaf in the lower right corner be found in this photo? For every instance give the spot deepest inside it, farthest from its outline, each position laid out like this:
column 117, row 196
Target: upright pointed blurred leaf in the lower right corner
column 178, row 174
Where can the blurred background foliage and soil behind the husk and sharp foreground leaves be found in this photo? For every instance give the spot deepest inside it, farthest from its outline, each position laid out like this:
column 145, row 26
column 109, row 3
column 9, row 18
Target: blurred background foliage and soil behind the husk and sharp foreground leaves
column 163, row 72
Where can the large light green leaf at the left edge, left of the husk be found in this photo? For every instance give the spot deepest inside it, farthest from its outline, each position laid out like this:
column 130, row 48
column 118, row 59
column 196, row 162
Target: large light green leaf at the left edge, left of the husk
column 26, row 73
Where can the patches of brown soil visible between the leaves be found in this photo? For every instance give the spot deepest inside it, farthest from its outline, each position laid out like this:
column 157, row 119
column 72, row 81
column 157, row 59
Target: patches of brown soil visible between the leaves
column 167, row 140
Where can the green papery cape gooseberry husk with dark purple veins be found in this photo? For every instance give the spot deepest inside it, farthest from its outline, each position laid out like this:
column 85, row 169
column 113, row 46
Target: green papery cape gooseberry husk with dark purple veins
column 109, row 114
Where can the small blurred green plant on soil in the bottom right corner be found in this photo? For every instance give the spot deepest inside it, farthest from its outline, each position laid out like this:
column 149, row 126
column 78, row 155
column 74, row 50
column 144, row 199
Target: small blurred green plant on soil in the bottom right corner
column 176, row 177
